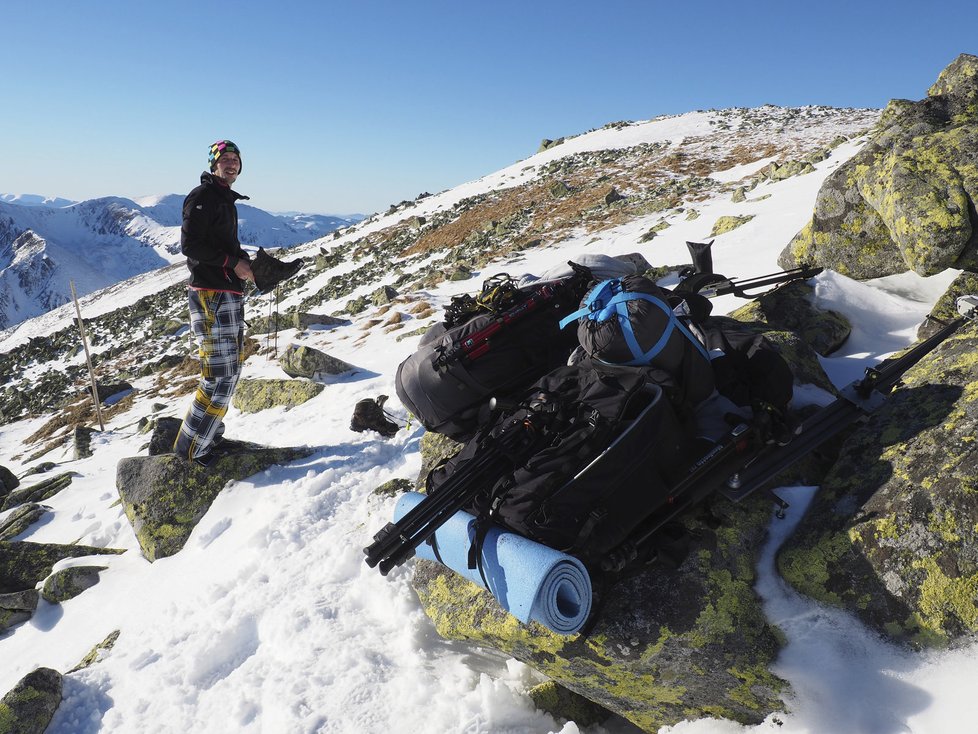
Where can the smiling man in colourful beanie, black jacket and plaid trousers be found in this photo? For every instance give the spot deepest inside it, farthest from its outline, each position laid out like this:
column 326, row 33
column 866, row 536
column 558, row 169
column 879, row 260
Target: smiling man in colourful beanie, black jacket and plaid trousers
column 218, row 266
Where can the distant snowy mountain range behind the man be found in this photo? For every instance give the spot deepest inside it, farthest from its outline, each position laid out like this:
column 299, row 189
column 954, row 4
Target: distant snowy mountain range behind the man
column 46, row 243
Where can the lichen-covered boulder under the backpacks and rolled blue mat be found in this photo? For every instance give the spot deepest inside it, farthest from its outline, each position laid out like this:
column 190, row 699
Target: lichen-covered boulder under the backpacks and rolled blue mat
column 669, row 644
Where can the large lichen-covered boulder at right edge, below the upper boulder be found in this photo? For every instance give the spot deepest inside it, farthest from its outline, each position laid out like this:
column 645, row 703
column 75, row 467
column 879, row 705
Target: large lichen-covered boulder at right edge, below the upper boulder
column 892, row 535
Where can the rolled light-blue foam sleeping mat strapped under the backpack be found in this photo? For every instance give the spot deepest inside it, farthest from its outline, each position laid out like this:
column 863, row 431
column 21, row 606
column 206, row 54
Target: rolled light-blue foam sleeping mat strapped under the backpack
column 529, row 580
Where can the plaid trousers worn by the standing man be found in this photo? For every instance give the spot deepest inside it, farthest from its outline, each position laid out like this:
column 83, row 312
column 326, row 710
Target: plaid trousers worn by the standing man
column 217, row 322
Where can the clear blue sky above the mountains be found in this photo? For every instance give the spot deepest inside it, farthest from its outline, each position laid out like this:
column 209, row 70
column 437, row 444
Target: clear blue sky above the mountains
column 343, row 107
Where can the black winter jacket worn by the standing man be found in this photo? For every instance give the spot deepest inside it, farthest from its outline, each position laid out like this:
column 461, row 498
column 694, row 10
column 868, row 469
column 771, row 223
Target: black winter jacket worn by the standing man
column 209, row 236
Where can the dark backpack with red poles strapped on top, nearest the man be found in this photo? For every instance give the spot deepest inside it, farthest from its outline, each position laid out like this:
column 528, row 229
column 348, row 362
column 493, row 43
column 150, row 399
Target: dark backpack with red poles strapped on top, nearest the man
column 495, row 345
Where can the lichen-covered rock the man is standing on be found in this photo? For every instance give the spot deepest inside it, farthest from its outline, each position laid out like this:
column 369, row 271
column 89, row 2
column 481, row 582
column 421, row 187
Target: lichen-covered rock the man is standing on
column 165, row 496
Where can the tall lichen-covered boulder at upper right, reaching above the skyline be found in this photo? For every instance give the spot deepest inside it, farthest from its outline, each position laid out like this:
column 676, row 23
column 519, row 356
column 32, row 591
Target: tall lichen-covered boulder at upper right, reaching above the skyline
column 904, row 201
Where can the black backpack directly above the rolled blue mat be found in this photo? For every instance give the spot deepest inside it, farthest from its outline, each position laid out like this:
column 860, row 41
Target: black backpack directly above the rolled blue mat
column 603, row 443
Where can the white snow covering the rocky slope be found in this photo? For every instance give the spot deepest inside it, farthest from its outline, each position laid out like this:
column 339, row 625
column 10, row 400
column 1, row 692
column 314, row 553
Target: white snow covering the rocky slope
column 269, row 620
